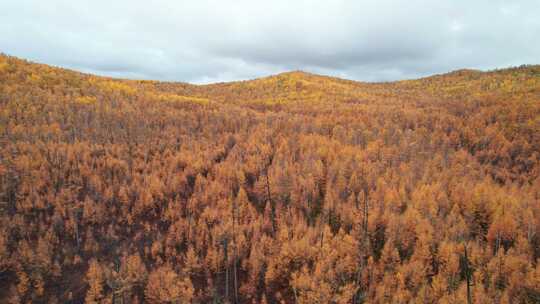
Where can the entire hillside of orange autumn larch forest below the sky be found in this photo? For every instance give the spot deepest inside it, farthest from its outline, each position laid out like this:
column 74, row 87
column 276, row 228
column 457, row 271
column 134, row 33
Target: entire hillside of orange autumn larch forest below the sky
column 294, row 188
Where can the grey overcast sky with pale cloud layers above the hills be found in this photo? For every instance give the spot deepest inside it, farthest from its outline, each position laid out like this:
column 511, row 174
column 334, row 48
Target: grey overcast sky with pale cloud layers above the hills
column 203, row 41
